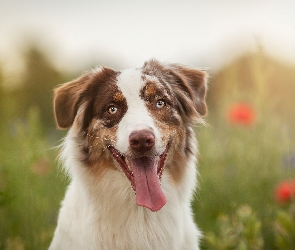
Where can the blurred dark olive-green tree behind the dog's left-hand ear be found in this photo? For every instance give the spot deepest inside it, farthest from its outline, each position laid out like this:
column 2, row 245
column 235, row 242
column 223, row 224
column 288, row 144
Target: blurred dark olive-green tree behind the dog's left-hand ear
column 36, row 84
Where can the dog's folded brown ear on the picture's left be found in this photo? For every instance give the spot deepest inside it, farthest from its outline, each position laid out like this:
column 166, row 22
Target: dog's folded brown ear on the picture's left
column 67, row 99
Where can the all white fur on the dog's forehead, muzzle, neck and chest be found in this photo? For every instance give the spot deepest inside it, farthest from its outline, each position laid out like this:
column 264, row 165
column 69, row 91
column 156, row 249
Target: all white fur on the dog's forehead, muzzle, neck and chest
column 103, row 214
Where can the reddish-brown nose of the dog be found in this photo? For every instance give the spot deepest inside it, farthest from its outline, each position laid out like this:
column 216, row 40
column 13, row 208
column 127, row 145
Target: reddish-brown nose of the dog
column 141, row 140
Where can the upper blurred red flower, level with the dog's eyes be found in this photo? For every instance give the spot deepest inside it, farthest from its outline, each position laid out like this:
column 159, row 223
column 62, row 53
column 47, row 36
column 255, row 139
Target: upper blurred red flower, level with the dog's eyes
column 241, row 114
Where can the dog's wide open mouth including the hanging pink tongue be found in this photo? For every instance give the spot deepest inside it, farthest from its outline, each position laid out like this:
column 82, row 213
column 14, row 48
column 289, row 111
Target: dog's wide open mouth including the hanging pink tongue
column 144, row 174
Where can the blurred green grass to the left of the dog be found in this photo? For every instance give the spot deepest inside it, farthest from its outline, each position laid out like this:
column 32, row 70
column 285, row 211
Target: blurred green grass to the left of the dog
column 29, row 186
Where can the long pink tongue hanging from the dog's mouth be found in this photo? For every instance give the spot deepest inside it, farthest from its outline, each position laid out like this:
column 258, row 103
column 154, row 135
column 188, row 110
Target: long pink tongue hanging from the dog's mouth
column 148, row 189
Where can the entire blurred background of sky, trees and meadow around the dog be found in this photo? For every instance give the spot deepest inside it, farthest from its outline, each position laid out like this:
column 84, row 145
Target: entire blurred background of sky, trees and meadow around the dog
column 247, row 150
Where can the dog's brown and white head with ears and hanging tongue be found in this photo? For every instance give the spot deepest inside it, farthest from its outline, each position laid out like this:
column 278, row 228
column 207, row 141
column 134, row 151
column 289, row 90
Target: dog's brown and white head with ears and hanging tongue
column 134, row 121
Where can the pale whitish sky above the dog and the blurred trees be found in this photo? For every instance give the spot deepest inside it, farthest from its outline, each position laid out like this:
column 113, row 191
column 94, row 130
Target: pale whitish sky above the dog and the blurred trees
column 207, row 33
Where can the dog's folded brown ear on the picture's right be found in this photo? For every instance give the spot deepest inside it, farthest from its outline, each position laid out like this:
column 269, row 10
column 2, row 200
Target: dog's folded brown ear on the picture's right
column 195, row 84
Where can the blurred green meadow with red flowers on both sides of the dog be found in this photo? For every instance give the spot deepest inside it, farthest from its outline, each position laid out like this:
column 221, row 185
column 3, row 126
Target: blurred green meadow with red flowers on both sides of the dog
column 246, row 193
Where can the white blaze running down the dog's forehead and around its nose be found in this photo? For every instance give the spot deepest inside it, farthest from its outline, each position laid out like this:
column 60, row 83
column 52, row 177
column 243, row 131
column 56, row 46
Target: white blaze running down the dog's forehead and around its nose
column 137, row 116
